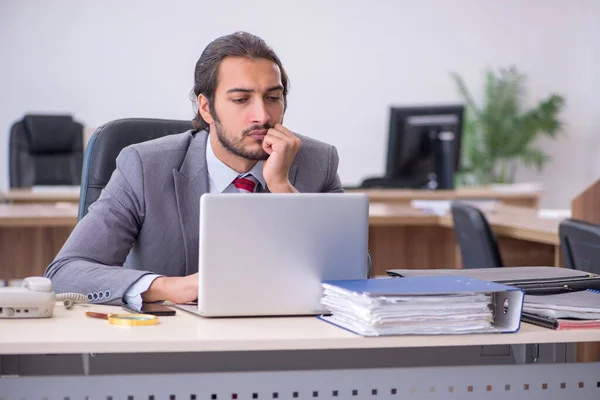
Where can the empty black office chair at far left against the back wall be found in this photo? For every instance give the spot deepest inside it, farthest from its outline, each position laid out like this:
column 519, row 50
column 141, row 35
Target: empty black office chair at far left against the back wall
column 45, row 150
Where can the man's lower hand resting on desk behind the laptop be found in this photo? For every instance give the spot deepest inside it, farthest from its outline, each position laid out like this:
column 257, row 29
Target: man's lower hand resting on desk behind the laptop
column 177, row 289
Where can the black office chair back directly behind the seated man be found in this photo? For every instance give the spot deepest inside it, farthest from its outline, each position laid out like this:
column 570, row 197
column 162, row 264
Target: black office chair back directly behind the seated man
column 106, row 143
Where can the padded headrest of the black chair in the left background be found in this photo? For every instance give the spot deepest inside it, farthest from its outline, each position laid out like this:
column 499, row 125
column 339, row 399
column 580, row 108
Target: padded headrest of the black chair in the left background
column 51, row 133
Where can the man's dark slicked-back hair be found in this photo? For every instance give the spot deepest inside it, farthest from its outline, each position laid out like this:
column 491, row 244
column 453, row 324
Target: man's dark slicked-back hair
column 239, row 44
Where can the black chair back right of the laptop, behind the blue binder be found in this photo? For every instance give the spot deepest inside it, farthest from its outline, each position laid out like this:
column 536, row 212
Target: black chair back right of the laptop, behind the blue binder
column 477, row 242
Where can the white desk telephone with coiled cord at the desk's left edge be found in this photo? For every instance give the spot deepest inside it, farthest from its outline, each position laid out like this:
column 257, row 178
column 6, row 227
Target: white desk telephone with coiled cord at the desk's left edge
column 35, row 299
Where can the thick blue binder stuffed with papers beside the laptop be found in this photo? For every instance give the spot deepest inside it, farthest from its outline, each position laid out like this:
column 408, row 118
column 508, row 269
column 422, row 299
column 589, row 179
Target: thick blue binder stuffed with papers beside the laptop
column 422, row 306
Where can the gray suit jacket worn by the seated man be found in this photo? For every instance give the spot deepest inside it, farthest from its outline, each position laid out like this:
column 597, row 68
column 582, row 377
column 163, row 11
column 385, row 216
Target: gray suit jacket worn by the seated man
column 147, row 217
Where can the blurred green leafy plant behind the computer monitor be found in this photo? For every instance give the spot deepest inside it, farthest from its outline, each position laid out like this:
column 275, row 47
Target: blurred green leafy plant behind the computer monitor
column 498, row 134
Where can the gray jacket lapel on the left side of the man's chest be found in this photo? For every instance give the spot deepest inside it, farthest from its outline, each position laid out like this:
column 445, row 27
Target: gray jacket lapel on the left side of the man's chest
column 191, row 182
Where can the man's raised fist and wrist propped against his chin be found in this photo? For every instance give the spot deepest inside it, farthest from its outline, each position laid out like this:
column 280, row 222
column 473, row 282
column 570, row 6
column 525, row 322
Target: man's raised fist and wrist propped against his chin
column 282, row 146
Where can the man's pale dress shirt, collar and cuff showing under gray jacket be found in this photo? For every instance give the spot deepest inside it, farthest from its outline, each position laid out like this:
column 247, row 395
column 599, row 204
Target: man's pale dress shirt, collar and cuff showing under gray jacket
column 220, row 178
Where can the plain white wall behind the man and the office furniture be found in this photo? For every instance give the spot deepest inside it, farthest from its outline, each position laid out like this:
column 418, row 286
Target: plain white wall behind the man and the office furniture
column 347, row 60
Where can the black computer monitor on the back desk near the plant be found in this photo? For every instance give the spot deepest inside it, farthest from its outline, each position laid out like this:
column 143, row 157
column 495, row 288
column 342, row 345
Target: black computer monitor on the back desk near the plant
column 424, row 146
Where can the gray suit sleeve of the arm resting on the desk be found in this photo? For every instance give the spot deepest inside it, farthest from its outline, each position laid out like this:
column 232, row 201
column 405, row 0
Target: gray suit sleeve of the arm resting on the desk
column 91, row 261
